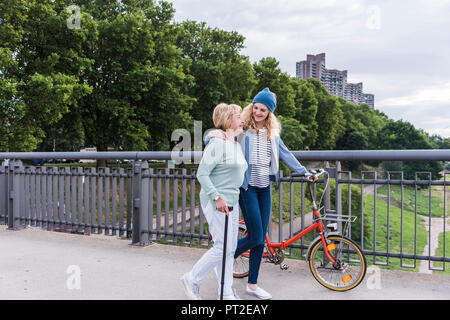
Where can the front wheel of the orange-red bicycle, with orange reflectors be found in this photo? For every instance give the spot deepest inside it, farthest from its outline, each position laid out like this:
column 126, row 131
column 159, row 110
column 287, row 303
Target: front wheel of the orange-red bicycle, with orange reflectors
column 349, row 269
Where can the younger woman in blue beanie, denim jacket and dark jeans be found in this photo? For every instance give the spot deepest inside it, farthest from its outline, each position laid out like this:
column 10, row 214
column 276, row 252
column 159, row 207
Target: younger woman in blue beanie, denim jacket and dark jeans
column 262, row 148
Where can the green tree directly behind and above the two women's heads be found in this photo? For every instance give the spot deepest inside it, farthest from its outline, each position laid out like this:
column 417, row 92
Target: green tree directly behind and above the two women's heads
column 220, row 72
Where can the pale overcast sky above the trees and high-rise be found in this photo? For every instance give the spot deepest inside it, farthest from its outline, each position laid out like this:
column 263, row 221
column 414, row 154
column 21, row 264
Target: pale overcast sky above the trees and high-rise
column 400, row 50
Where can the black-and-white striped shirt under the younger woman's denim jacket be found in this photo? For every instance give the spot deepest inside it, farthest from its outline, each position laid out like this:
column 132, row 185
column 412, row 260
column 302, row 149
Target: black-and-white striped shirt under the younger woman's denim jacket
column 260, row 160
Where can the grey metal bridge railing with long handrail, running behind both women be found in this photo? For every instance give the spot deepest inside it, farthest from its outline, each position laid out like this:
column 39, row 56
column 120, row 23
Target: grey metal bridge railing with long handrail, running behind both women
column 162, row 204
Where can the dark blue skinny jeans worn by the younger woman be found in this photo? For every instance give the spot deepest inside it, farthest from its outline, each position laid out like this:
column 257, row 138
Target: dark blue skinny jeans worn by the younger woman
column 255, row 204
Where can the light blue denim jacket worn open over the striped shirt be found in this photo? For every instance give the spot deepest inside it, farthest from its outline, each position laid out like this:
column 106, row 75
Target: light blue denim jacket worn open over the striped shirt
column 279, row 150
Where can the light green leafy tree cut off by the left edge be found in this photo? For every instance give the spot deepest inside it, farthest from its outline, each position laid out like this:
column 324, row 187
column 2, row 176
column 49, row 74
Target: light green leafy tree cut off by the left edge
column 40, row 79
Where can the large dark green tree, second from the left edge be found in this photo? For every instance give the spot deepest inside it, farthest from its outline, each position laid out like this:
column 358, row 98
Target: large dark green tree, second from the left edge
column 138, row 75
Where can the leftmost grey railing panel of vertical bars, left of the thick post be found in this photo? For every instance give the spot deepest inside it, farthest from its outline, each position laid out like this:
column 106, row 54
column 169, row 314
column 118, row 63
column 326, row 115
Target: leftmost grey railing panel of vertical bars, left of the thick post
column 70, row 199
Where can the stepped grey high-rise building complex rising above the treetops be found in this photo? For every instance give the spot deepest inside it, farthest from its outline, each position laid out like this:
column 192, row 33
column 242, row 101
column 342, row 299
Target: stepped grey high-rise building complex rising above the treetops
column 335, row 81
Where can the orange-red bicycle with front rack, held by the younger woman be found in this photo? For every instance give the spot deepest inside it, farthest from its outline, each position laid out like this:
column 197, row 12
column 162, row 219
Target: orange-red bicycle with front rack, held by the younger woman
column 335, row 261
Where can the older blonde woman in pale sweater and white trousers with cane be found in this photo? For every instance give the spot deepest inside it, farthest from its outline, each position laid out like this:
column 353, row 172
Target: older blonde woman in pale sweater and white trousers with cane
column 220, row 173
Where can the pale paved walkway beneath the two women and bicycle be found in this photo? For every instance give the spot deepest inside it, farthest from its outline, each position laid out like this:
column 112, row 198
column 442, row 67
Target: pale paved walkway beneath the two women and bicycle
column 36, row 264
